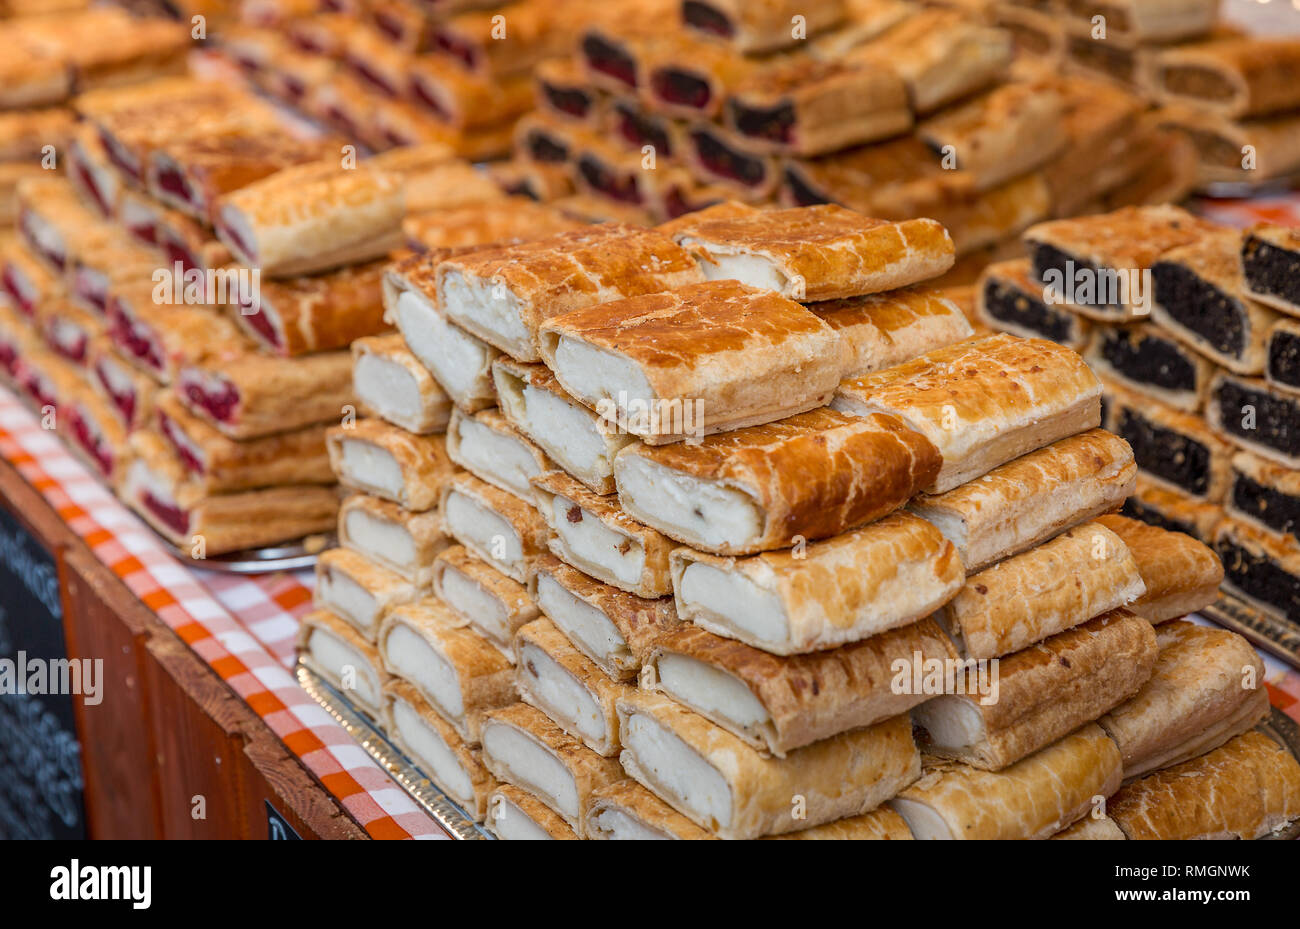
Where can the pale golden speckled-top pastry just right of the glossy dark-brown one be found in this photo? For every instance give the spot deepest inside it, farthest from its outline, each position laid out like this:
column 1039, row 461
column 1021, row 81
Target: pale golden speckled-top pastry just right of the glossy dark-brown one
column 983, row 402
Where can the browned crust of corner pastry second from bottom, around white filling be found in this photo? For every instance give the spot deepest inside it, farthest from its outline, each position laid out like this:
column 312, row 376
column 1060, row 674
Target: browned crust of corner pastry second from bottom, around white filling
column 817, row 696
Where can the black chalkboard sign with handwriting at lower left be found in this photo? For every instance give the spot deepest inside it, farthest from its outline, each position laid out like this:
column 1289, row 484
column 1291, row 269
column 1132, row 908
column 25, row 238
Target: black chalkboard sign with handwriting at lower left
column 41, row 771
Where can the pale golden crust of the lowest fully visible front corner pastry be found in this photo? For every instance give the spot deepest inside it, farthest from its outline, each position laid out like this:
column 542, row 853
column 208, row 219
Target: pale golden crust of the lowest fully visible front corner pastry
column 843, row 776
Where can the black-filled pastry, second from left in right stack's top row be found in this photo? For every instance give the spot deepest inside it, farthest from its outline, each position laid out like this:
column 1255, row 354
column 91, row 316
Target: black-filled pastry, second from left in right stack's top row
column 1210, row 272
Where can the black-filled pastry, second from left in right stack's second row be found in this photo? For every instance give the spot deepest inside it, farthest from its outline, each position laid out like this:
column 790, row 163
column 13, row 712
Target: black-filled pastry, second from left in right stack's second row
column 1149, row 361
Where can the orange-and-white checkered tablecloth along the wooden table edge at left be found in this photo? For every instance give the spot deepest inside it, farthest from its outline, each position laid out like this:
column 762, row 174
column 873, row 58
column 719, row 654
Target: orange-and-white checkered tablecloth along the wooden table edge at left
column 241, row 627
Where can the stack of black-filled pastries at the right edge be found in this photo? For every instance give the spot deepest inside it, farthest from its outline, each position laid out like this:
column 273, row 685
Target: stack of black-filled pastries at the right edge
column 1194, row 329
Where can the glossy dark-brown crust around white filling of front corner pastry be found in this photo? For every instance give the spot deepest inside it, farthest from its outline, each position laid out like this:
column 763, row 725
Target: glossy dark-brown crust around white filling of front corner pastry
column 812, row 476
